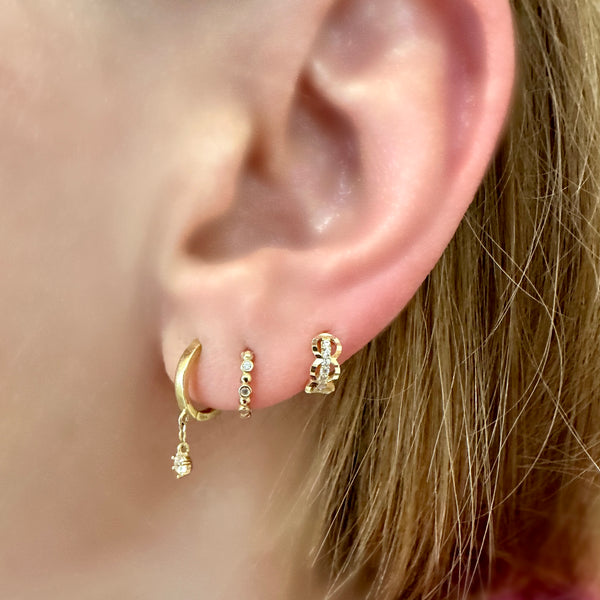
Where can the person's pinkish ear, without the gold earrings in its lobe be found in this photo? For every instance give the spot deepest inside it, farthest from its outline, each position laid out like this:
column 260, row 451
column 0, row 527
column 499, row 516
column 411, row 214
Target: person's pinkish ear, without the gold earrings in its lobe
column 359, row 147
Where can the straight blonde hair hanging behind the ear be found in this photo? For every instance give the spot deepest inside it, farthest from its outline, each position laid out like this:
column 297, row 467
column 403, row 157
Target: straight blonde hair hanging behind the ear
column 462, row 447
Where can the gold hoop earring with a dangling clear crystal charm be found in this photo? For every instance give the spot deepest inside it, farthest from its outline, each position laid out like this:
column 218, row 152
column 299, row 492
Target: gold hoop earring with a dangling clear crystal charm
column 182, row 463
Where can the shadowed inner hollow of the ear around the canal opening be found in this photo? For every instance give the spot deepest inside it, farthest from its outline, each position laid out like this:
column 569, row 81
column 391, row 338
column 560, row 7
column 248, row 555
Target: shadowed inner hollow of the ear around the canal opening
column 313, row 198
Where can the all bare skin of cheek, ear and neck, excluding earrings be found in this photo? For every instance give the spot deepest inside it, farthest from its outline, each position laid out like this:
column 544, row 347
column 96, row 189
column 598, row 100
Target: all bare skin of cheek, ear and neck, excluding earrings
column 135, row 138
